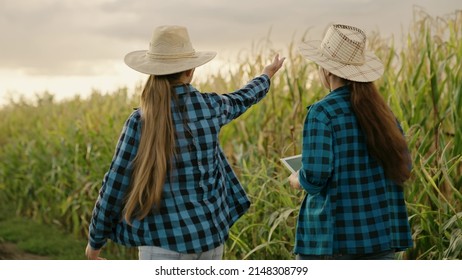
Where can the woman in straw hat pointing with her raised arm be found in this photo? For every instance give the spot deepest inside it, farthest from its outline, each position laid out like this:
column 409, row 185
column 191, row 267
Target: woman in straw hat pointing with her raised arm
column 170, row 190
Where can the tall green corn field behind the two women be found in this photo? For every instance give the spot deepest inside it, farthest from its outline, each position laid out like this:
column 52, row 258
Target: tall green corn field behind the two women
column 53, row 155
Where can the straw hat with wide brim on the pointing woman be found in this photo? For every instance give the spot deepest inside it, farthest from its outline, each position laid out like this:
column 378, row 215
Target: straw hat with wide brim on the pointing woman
column 170, row 51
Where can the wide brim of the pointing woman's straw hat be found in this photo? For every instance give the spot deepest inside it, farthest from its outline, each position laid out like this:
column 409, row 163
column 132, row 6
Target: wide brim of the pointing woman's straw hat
column 139, row 61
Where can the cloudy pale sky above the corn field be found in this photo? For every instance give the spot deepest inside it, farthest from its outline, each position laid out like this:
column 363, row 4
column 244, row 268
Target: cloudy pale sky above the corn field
column 69, row 47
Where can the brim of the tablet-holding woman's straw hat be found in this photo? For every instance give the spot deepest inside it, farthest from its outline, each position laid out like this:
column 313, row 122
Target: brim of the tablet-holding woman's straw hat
column 371, row 70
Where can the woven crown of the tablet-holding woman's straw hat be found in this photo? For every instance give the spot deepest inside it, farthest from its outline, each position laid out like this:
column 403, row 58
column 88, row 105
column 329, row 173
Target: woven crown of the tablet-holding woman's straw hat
column 344, row 44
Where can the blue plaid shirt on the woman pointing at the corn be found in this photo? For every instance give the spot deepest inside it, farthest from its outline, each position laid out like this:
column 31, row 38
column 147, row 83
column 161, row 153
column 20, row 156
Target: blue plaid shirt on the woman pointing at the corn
column 202, row 196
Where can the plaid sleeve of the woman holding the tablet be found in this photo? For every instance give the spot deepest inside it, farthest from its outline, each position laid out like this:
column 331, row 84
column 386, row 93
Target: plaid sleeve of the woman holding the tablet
column 317, row 155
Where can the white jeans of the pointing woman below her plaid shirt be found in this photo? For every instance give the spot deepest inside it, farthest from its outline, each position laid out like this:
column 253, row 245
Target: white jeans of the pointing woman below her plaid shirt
column 158, row 253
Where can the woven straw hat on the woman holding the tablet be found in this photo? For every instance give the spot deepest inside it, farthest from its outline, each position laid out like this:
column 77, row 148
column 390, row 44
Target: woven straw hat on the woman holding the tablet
column 343, row 53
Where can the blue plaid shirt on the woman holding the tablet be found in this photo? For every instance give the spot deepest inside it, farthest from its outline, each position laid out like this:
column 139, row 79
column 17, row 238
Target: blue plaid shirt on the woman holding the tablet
column 350, row 207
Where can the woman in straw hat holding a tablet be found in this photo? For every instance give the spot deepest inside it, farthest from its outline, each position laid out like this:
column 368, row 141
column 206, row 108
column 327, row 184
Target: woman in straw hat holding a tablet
column 354, row 160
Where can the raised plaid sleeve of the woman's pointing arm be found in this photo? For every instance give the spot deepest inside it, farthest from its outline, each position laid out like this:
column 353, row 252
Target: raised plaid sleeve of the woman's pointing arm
column 234, row 104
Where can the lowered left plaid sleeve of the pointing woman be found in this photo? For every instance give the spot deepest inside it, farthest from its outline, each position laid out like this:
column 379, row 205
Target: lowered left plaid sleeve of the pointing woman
column 107, row 211
